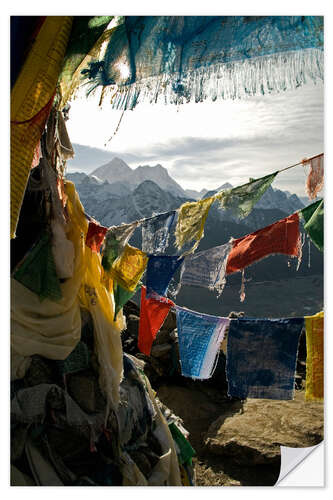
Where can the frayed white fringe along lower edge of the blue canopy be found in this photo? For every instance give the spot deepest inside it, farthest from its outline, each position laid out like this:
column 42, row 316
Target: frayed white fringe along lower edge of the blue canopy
column 233, row 80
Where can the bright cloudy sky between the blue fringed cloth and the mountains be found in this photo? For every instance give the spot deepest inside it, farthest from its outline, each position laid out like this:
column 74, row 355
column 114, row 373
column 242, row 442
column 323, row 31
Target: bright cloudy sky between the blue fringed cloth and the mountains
column 204, row 145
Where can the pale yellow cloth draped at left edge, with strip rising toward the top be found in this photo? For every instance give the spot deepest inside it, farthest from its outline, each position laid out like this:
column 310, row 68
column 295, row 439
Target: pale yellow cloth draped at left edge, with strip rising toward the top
column 50, row 329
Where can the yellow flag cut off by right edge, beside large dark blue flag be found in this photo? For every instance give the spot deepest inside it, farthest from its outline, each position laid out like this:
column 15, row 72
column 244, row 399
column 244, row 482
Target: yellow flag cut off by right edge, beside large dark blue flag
column 314, row 329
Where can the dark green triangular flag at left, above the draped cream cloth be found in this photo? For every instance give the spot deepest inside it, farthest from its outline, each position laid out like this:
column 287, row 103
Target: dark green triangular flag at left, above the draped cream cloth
column 37, row 271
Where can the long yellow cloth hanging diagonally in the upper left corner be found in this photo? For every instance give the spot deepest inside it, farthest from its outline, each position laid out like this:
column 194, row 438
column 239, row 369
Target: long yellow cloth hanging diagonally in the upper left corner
column 31, row 101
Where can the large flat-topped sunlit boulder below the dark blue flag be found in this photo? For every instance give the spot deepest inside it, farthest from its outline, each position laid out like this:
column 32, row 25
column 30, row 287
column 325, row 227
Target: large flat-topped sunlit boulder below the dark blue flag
column 254, row 434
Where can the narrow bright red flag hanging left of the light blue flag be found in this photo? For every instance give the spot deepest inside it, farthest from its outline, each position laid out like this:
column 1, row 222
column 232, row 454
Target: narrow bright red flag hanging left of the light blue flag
column 153, row 312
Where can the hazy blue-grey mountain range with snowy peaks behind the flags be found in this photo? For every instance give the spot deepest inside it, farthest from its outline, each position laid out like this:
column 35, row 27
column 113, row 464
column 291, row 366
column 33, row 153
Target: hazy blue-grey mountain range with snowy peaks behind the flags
column 115, row 193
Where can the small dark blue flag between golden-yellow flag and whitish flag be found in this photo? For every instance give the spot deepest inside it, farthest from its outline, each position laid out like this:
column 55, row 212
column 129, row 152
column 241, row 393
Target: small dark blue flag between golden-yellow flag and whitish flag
column 160, row 270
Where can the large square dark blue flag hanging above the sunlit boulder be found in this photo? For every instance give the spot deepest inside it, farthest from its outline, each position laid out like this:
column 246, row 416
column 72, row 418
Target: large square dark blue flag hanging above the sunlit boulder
column 261, row 357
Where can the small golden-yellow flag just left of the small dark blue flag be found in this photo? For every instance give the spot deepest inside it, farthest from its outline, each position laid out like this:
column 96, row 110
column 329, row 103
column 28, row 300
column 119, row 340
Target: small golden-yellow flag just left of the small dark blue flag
column 128, row 268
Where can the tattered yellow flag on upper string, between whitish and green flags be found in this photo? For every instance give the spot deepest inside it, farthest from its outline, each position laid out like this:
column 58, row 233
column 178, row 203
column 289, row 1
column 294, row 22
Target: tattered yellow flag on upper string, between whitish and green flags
column 192, row 216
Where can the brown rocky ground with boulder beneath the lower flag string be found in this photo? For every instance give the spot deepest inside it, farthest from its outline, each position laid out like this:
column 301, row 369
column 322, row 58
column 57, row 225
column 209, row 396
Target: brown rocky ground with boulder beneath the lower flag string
column 236, row 442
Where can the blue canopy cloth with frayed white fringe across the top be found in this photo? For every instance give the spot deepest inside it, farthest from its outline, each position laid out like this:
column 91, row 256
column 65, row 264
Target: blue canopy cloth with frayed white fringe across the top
column 177, row 59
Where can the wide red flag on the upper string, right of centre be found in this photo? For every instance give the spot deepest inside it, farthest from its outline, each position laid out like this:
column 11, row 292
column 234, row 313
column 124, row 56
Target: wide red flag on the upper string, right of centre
column 281, row 237
